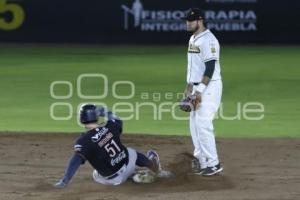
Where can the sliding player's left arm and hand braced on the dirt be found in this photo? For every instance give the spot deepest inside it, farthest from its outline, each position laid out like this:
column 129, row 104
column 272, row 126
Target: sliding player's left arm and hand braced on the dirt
column 71, row 169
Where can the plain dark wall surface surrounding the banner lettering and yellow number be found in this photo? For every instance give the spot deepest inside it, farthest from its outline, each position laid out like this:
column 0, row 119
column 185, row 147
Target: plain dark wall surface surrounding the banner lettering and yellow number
column 101, row 22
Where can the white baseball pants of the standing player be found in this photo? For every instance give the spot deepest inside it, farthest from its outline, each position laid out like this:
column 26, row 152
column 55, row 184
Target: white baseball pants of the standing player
column 201, row 125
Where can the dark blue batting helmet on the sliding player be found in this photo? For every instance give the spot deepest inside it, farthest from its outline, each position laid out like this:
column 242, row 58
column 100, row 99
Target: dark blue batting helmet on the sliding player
column 88, row 114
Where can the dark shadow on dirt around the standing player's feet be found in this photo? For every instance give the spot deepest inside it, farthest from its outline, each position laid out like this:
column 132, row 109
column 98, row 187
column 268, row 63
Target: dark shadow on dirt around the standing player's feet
column 183, row 180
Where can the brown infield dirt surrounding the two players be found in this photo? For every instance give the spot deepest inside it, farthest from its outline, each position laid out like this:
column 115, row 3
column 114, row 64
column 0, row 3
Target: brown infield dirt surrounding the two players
column 258, row 169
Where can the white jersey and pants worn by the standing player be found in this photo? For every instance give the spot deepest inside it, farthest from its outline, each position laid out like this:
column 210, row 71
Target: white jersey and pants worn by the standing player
column 202, row 48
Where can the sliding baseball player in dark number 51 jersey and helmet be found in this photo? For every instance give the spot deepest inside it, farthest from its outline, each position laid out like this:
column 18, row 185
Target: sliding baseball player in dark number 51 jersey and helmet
column 101, row 146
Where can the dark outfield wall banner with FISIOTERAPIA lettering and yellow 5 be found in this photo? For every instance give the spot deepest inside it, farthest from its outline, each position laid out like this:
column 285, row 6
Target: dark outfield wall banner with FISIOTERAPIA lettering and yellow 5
column 146, row 21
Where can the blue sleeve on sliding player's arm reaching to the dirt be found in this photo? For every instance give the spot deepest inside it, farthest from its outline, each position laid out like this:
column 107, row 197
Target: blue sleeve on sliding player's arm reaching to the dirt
column 72, row 167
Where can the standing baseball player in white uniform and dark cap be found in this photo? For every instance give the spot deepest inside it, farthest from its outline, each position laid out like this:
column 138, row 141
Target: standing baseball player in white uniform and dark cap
column 203, row 91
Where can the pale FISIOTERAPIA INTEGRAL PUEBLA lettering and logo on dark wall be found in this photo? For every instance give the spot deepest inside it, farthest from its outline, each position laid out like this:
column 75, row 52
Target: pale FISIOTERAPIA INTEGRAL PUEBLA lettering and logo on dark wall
column 141, row 19
